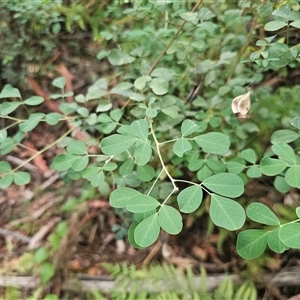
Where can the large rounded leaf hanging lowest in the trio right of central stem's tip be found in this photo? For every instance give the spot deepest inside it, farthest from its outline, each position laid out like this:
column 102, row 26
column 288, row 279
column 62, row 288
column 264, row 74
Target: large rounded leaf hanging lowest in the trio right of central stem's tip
column 226, row 213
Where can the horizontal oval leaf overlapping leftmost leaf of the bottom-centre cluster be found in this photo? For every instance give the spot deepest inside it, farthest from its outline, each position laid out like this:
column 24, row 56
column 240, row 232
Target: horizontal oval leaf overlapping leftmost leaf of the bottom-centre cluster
column 141, row 203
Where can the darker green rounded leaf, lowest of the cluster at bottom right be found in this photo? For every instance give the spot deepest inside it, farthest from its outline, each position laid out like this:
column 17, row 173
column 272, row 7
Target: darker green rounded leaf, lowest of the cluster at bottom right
column 252, row 243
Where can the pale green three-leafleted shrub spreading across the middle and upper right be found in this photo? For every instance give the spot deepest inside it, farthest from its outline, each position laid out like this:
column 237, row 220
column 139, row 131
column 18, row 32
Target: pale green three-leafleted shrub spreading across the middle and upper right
column 158, row 155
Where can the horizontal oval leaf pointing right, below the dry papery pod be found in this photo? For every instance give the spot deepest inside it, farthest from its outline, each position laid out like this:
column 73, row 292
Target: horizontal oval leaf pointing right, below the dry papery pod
column 213, row 142
